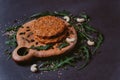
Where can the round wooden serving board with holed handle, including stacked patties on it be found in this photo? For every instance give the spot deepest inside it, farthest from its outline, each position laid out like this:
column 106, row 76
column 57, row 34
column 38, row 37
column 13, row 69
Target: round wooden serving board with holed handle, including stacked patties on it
column 38, row 35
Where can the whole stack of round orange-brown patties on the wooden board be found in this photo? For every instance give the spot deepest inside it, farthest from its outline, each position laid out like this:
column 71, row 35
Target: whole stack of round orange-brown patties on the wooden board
column 49, row 29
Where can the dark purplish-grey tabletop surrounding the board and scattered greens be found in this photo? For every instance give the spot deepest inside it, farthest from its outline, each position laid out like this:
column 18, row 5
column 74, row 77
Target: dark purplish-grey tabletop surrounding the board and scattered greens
column 105, row 16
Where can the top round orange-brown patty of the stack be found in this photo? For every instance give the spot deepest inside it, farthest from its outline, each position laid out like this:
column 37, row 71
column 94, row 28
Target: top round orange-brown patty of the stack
column 49, row 26
